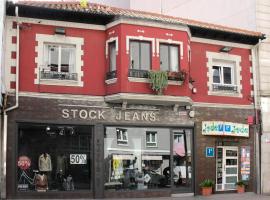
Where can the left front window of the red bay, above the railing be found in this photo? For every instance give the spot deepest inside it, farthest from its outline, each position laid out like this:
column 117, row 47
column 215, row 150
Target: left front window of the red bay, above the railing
column 140, row 58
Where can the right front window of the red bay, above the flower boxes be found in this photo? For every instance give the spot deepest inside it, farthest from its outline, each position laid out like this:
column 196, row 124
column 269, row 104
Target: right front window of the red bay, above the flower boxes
column 169, row 57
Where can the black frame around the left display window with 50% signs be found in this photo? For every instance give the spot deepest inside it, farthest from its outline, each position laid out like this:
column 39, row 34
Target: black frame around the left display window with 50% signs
column 52, row 194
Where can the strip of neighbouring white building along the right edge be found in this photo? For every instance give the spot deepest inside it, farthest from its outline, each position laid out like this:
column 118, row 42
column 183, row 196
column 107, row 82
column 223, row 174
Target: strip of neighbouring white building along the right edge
column 263, row 25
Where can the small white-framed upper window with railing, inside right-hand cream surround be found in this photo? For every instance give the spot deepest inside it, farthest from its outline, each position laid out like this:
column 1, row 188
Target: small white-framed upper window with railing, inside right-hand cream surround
column 223, row 77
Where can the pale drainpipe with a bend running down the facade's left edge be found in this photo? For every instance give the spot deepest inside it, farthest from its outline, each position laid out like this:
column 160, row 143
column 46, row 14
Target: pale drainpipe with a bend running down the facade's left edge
column 4, row 142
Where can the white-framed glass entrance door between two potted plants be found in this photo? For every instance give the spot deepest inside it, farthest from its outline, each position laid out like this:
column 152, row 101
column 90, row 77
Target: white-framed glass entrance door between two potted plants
column 227, row 168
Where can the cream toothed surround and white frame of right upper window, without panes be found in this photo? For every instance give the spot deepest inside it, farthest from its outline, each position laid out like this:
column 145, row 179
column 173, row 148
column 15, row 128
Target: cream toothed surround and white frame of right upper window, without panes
column 216, row 59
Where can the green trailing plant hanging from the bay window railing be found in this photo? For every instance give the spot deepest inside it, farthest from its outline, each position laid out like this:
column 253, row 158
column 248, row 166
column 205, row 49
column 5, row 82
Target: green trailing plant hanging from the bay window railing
column 158, row 80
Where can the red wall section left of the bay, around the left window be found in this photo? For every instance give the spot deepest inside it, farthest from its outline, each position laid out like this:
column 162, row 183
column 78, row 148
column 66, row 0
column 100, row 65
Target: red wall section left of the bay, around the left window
column 94, row 61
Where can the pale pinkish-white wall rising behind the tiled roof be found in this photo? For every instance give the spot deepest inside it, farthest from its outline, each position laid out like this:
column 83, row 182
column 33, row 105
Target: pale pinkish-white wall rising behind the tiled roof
column 236, row 13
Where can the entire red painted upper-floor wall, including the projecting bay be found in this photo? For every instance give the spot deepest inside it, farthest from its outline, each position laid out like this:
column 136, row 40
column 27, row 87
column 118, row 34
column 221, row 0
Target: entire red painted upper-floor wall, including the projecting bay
column 96, row 64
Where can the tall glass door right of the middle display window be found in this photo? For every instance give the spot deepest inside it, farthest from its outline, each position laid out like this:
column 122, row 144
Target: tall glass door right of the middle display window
column 182, row 161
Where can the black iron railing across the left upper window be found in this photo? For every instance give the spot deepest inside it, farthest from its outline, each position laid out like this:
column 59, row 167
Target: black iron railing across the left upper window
column 58, row 75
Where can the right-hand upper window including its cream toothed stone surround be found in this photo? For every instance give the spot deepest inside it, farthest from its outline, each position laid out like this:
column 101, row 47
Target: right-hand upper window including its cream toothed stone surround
column 224, row 74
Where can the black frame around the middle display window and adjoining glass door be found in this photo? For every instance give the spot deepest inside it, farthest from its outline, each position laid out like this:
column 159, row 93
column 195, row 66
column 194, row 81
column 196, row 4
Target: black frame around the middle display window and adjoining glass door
column 154, row 192
